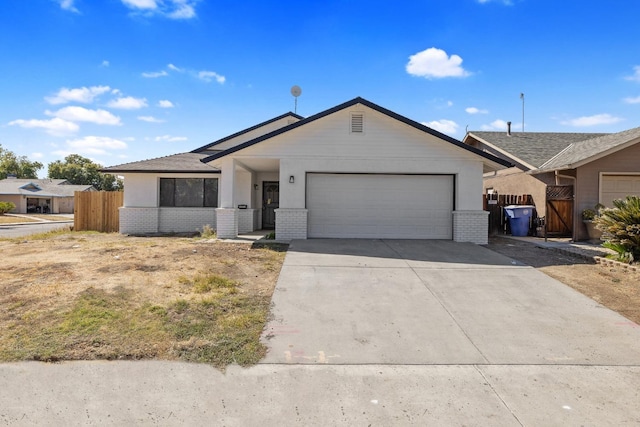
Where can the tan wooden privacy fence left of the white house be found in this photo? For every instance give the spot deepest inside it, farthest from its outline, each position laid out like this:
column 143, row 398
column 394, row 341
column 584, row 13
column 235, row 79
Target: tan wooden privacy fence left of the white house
column 97, row 211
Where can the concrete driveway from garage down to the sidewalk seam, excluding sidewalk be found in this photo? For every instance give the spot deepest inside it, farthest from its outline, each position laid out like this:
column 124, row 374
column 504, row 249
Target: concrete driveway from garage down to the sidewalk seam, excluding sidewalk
column 434, row 302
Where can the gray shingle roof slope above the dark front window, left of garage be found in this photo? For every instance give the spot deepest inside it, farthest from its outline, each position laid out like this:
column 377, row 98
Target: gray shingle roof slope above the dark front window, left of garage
column 182, row 163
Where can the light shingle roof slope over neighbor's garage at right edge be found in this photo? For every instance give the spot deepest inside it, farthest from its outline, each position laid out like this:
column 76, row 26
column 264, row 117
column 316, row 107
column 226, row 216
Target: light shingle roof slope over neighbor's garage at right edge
column 582, row 152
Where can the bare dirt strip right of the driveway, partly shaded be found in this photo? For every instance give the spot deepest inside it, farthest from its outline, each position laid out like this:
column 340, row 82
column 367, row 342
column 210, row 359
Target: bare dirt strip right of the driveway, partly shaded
column 614, row 286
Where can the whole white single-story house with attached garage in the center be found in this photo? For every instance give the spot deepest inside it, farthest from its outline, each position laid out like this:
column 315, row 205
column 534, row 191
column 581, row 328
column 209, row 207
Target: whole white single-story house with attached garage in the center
column 356, row 170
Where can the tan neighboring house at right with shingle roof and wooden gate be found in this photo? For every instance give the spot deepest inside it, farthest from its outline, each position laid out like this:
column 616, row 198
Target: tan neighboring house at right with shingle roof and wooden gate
column 564, row 172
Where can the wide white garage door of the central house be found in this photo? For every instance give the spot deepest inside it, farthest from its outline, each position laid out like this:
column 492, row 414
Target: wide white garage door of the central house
column 380, row 206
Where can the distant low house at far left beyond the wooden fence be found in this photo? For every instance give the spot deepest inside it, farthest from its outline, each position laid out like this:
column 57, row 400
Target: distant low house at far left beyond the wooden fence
column 40, row 195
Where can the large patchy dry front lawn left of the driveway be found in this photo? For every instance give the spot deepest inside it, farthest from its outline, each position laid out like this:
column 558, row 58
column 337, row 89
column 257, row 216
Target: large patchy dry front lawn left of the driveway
column 103, row 296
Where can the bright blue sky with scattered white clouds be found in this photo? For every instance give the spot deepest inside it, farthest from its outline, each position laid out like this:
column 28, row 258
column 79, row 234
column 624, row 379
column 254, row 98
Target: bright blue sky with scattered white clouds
column 125, row 80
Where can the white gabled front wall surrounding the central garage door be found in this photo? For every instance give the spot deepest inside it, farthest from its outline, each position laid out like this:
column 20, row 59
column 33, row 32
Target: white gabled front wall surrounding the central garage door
column 386, row 146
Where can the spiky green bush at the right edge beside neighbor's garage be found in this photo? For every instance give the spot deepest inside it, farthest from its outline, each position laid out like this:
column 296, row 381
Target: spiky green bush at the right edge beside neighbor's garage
column 620, row 226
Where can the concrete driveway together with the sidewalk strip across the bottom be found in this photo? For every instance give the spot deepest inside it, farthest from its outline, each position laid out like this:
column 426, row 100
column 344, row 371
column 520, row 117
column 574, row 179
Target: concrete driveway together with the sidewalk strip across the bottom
column 380, row 333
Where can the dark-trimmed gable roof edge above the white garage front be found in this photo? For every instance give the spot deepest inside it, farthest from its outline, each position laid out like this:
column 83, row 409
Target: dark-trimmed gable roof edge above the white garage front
column 362, row 101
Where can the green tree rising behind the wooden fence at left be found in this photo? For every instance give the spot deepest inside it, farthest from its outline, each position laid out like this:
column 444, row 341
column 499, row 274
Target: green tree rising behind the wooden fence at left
column 79, row 170
